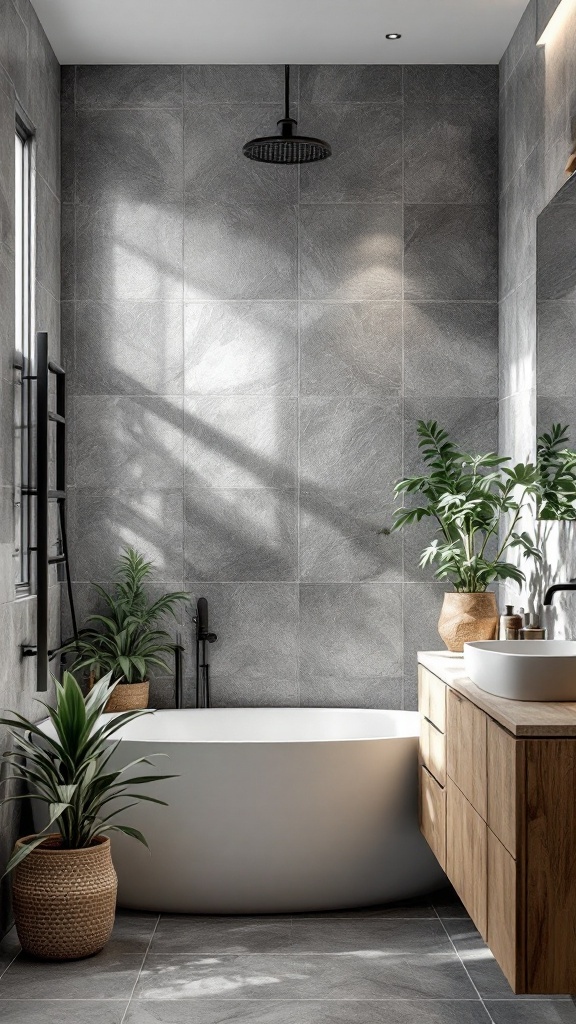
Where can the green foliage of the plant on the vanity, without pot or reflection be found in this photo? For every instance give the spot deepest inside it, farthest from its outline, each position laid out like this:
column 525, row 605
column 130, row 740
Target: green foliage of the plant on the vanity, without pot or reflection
column 470, row 497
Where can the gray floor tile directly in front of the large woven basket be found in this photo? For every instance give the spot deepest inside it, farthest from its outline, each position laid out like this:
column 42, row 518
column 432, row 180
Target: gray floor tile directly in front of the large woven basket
column 104, row 976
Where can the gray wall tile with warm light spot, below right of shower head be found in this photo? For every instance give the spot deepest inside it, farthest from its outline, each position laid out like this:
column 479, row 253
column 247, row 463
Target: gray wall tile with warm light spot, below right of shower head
column 351, row 251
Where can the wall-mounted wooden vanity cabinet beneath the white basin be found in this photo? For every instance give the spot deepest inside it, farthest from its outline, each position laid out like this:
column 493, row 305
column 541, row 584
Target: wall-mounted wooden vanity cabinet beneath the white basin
column 499, row 809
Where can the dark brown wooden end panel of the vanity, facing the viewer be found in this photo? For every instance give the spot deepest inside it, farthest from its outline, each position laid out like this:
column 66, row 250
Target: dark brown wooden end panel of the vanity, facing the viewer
column 551, row 867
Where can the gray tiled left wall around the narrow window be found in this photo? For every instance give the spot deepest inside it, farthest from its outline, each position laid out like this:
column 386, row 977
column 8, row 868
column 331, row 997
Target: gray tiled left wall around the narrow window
column 29, row 75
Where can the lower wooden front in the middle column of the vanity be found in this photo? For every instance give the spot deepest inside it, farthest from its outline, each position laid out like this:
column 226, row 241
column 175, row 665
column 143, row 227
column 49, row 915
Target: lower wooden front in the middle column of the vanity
column 467, row 855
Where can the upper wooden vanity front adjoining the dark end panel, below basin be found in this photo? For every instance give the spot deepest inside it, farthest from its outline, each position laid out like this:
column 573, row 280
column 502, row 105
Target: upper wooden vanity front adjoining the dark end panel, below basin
column 506, row 787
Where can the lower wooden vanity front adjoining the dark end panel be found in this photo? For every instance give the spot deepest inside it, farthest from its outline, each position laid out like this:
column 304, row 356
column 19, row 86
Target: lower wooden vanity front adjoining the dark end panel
column 506, row 913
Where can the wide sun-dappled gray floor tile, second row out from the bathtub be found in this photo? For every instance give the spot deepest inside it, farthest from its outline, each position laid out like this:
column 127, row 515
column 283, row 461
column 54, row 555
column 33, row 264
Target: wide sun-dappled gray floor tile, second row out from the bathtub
column 368, row 975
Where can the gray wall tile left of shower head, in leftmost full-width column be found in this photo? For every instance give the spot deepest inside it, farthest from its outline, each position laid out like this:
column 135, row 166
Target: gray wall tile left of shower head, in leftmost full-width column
column 129, row 155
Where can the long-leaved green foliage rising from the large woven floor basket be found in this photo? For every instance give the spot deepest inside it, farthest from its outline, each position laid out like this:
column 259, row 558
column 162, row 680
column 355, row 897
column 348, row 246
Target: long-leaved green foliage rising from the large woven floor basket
column 70, row 770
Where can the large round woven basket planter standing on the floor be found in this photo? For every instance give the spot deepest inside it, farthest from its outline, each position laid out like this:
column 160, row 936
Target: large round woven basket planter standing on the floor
column 65, row 901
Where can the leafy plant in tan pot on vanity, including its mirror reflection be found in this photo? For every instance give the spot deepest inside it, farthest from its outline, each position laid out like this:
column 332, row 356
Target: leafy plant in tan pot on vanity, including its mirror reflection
column 478, row 504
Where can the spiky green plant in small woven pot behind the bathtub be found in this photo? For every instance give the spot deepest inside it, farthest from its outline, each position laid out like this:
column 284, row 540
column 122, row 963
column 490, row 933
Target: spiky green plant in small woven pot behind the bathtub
column 128, row 642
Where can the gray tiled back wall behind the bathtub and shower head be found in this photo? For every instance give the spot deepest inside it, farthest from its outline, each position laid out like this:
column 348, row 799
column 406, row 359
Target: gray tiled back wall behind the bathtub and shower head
column 252, row 348
